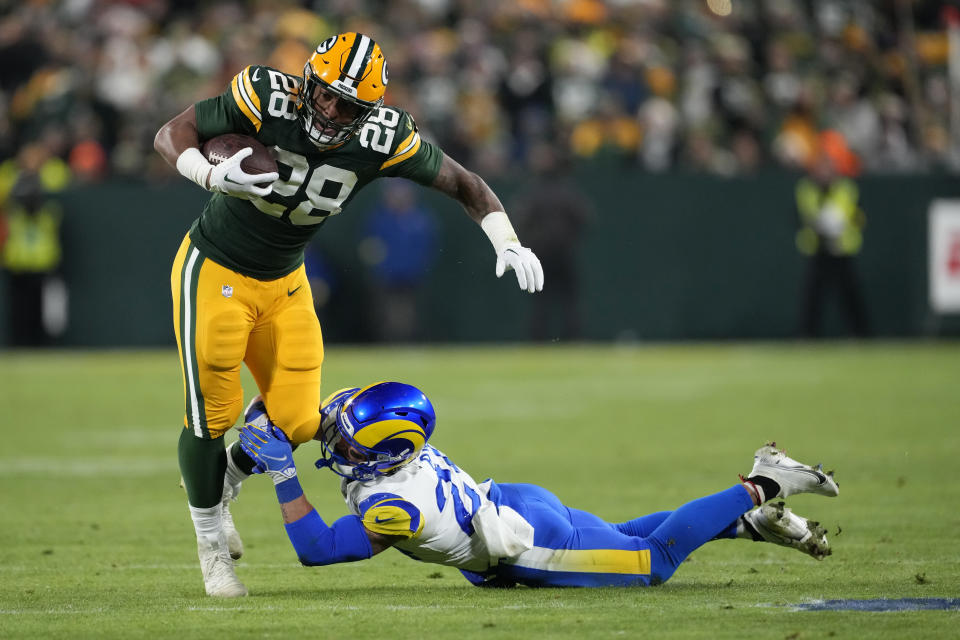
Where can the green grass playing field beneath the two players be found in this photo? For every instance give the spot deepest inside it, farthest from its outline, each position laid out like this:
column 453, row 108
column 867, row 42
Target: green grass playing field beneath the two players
column 96, row 540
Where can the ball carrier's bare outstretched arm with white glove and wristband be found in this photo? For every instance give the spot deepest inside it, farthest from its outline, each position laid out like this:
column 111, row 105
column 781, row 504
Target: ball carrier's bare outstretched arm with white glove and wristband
column 483, row 206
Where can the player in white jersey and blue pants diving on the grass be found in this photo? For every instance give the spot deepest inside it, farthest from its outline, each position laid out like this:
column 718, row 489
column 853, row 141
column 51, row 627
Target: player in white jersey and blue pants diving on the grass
column 402, row 492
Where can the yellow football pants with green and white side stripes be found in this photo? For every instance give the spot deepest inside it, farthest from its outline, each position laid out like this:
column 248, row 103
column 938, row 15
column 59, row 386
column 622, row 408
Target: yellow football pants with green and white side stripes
column 223, row 318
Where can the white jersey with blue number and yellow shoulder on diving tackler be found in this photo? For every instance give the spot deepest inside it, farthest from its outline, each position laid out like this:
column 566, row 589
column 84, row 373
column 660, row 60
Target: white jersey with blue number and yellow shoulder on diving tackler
column 431, row 502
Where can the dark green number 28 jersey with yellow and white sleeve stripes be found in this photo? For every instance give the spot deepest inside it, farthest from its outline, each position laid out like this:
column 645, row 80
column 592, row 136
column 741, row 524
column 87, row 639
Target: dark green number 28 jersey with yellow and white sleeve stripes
column 264, row 238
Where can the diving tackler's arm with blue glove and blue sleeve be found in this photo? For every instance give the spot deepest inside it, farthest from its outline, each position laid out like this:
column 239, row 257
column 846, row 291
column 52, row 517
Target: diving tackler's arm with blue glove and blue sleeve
column 315, row 542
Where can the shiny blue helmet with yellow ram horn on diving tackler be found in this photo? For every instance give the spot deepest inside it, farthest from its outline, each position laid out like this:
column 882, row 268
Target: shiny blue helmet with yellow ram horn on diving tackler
column 373, row 431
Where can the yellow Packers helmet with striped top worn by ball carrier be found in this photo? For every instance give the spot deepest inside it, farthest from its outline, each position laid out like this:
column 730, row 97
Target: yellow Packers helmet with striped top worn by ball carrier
column 343, row 85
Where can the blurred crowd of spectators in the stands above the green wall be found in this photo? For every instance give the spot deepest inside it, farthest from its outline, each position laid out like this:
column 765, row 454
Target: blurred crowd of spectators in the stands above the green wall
column 660, row 84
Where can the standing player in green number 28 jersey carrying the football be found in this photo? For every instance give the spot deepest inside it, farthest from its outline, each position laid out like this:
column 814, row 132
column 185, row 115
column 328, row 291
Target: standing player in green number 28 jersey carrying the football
column 240, row 294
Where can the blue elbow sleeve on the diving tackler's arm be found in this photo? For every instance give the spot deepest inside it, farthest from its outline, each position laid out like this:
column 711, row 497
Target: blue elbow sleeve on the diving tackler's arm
column 317, row 544
